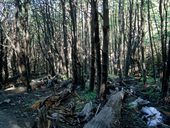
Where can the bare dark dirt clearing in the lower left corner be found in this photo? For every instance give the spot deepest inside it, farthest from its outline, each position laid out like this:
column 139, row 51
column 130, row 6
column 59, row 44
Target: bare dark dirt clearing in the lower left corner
column 15, row 108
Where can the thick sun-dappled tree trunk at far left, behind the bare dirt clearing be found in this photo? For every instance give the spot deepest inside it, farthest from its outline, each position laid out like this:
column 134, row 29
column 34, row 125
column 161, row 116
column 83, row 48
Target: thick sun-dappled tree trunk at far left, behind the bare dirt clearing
column 22, row 48
